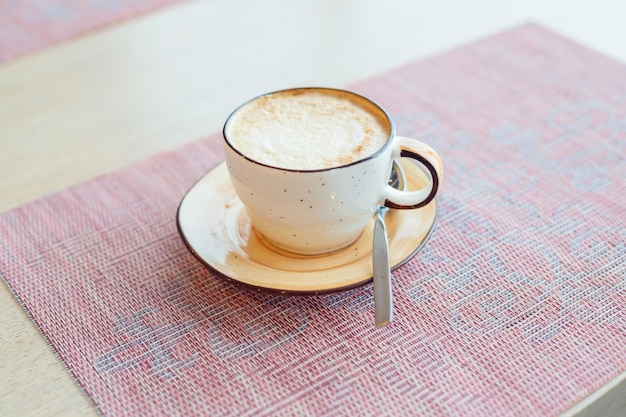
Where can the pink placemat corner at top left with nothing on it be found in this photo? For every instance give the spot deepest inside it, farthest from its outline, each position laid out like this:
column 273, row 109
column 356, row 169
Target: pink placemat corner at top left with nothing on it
column 29, row 25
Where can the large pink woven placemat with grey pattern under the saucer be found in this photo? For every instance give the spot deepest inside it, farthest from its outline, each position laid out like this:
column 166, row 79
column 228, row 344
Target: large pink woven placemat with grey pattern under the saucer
column 516, row 307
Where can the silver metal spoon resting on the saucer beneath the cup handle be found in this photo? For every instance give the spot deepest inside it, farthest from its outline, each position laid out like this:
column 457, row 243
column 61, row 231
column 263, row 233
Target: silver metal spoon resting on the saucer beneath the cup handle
column 383, row 297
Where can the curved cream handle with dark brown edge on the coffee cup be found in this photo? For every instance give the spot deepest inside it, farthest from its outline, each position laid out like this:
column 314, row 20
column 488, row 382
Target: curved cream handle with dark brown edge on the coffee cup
column 428, row 158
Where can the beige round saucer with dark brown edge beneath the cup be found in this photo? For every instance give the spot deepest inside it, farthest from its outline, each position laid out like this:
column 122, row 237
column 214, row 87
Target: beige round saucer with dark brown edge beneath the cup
column 214, row 225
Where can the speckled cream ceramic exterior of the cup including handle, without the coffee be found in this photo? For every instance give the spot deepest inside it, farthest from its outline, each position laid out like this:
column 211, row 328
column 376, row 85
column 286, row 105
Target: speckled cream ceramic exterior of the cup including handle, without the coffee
column 318, row 211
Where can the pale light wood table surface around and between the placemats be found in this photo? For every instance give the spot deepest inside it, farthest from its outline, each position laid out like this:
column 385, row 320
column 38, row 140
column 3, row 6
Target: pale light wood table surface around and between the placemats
column 104, row 100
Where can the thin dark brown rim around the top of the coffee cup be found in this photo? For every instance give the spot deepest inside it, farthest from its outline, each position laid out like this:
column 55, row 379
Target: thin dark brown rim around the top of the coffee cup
column 392, row 130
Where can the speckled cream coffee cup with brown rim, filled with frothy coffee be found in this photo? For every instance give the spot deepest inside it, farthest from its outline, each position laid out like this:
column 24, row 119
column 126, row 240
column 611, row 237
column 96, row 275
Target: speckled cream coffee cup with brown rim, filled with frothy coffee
column 312, row 166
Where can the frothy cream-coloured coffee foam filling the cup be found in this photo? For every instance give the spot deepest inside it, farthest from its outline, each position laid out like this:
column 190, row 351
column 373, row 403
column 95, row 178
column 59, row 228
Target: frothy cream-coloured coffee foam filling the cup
column 308, row 129
